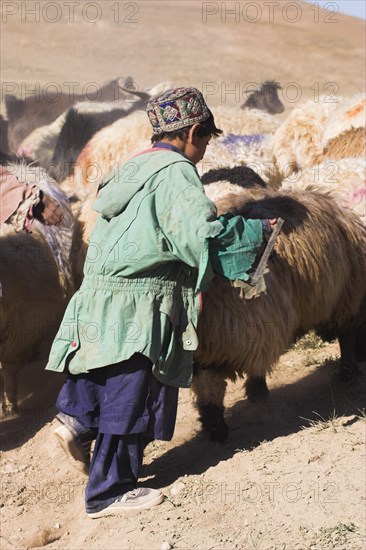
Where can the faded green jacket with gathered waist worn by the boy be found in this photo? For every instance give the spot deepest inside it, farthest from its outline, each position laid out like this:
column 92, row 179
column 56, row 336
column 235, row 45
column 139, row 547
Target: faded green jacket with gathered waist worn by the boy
column 150, row 255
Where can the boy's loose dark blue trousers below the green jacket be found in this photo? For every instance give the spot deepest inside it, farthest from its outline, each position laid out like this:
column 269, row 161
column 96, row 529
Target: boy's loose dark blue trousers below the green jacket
column 124, row 406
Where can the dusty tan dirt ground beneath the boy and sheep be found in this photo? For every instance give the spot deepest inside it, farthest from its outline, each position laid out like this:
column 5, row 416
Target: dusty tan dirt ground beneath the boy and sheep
column 291, row 474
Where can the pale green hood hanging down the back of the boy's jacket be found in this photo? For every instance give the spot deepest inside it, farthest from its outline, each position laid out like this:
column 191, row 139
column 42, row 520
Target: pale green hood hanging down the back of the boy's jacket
column 120, row 186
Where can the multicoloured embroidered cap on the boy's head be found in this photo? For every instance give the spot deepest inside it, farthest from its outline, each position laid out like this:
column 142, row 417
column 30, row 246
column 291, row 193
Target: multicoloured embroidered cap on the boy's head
column 177, row 109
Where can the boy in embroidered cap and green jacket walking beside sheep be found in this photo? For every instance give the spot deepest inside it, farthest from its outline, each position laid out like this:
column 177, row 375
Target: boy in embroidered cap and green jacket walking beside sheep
column 128, row 335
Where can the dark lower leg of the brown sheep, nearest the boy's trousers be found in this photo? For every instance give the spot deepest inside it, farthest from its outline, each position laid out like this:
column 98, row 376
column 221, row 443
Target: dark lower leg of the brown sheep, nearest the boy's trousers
column 209, row 387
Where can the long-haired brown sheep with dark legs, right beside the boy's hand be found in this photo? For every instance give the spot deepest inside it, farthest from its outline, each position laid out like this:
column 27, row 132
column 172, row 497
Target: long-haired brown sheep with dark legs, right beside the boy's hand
column 316, row 280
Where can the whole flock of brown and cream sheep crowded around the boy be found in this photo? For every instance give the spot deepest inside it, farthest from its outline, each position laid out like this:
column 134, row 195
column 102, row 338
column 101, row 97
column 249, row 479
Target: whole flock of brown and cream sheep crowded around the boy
column 308, row 169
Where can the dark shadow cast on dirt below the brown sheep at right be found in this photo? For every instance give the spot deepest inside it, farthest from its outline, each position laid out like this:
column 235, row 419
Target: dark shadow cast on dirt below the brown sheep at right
column 290, row 408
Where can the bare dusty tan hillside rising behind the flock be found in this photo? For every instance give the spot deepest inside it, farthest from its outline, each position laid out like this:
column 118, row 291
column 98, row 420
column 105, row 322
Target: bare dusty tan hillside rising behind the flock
column 309, row 51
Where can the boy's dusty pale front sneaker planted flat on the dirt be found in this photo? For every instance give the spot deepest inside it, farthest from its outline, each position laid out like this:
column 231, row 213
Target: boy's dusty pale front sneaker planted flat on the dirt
column 135, row 500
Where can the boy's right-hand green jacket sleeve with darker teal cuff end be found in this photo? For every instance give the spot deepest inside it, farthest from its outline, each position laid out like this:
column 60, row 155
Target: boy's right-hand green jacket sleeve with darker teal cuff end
column 226, row 245
